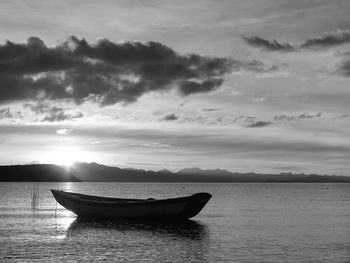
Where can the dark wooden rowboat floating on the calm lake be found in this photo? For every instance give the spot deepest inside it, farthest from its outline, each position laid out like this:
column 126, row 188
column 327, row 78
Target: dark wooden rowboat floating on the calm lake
column 107, row 208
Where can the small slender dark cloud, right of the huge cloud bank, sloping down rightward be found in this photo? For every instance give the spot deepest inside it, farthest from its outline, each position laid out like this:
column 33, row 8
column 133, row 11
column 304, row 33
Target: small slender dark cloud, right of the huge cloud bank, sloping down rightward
column 268, row 45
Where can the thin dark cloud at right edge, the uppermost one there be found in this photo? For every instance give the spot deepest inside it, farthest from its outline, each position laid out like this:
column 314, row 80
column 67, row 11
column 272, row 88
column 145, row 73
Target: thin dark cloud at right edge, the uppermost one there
column 328, row 39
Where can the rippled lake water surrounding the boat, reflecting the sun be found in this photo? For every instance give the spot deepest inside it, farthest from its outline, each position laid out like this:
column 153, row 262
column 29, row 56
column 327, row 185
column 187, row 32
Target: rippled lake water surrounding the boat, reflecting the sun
column 241, row 223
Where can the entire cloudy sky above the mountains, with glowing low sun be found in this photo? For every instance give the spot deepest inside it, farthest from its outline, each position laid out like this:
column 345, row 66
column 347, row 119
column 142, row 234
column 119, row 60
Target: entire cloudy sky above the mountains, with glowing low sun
column 248, row 86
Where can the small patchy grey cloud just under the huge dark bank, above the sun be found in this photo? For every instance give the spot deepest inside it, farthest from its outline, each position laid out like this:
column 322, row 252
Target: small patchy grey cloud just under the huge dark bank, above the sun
column 53, row 113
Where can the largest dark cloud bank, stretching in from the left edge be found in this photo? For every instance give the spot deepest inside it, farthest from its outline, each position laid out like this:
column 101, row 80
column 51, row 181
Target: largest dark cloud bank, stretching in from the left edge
column 106, row 72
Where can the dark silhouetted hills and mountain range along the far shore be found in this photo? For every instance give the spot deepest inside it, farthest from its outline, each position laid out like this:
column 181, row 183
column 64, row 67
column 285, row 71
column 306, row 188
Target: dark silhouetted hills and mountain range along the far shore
column 94, row 172
